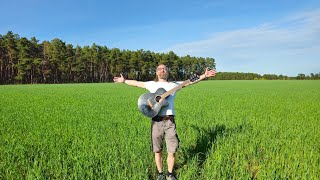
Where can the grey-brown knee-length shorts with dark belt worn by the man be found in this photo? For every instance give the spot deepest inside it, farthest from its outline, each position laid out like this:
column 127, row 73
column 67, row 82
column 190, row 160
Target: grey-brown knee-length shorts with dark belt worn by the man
column 164, row 127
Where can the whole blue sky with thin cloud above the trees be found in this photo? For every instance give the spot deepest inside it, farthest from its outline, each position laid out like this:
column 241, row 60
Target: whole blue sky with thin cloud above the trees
column 265, row 37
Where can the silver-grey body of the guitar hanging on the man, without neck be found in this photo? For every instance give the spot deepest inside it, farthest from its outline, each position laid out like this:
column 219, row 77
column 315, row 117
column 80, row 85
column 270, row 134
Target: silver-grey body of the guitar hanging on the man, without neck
column 150, row 104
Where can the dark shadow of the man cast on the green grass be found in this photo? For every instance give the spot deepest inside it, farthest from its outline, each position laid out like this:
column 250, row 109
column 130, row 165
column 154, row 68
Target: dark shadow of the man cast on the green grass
column 205, row 141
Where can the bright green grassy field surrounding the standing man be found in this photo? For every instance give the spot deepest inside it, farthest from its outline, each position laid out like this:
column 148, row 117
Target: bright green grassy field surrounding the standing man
column 227, row 129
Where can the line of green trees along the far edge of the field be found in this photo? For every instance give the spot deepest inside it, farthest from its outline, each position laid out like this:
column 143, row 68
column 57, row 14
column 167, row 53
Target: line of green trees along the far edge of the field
column 26, row 61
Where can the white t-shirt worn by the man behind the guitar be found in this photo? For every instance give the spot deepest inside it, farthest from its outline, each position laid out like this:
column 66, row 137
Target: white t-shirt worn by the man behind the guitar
column 152, row 86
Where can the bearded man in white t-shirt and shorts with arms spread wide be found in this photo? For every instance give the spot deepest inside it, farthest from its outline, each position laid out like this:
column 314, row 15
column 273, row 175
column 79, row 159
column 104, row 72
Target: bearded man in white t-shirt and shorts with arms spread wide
column 163, row 125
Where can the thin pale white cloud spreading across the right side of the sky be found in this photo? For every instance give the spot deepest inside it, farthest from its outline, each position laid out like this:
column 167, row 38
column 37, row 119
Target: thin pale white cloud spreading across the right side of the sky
column 288, row 46
